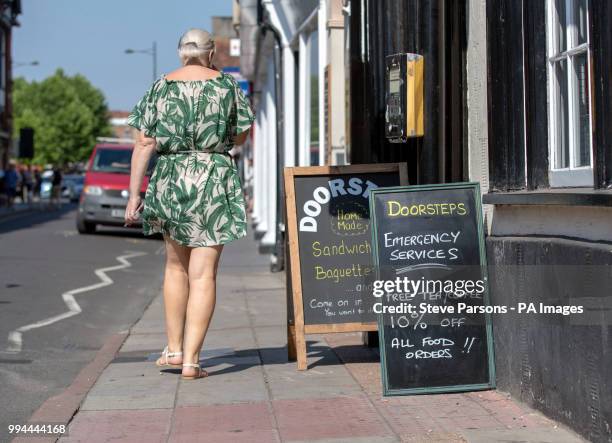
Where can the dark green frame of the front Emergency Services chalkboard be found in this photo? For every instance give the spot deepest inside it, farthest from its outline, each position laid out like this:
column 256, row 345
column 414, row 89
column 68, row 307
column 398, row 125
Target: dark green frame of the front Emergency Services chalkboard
column 475, row 187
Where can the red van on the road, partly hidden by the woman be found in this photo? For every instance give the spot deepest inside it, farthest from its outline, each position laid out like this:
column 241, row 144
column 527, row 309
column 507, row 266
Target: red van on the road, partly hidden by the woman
column 105, row 192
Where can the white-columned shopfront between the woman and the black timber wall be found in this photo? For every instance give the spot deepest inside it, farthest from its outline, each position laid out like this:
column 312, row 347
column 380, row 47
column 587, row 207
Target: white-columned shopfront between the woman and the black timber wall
column 293, row 54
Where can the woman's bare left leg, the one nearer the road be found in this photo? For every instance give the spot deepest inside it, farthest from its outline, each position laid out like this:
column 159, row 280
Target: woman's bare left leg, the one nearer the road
column 176, row 293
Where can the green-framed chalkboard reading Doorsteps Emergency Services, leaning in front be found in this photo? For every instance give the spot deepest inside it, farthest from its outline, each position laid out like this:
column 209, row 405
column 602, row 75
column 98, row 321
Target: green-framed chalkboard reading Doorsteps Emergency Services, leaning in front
column 433, row 314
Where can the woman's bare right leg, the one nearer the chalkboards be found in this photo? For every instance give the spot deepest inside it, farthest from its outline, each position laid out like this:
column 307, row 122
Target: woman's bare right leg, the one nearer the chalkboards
column 202, row 296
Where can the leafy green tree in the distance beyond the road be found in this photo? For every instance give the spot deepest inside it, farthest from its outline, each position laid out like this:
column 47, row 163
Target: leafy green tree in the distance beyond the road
column 67, row 114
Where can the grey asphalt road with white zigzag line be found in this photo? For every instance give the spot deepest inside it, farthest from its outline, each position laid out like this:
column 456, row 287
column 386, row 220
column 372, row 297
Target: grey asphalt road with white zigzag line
column 42, row 257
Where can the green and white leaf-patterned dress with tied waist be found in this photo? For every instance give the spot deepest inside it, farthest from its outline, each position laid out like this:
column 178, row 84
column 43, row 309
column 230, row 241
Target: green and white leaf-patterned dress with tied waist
column 194, row 194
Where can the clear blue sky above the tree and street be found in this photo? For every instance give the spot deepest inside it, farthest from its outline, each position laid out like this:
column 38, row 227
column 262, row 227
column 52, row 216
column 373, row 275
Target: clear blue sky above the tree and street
column 90, row 37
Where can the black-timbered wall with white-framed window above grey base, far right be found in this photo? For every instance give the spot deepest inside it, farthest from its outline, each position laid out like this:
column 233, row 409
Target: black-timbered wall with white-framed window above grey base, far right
column 550, row 180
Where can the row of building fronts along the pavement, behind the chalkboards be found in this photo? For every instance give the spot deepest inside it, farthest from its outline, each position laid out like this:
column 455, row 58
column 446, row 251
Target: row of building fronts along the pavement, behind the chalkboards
column 517, row 97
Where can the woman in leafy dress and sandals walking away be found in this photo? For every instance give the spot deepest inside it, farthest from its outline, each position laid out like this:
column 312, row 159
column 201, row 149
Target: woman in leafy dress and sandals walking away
column 192, row 117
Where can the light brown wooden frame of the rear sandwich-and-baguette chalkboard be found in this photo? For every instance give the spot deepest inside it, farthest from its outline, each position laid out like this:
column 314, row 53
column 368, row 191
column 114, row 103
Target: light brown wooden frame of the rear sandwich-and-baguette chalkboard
column 297, row 330
